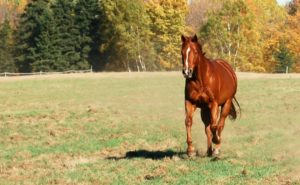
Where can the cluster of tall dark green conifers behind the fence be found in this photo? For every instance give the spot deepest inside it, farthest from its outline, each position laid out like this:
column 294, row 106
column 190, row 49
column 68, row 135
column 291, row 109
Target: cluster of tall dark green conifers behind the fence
column 57, row 35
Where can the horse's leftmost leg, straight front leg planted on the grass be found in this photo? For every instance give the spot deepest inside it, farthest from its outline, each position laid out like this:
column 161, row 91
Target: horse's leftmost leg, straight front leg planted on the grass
column 189, row 111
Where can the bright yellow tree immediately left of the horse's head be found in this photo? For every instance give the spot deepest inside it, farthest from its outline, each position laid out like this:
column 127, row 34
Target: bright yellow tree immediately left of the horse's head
column 167, row 24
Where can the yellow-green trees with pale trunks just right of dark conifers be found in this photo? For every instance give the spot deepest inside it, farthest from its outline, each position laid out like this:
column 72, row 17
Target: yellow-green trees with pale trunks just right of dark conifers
column 125, row 36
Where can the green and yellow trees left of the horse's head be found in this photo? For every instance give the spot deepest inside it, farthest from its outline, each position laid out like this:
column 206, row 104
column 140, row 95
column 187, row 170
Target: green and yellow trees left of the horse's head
column 123, row 35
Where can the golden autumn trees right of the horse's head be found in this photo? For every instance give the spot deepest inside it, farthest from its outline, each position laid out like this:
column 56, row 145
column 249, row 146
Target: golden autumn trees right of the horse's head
column 253, row 35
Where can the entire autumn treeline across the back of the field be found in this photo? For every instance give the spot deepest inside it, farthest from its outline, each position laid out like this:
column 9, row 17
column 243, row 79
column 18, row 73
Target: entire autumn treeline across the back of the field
column 144, row 35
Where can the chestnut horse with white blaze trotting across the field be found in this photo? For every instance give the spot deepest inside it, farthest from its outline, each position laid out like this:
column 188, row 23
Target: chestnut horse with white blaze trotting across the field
column 209, row 85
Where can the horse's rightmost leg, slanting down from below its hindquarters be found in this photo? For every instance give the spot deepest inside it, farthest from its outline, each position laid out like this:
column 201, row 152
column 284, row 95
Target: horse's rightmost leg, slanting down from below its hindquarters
column 225, row 110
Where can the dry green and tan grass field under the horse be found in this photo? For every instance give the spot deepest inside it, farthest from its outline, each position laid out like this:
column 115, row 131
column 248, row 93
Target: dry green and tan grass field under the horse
column 128, row 128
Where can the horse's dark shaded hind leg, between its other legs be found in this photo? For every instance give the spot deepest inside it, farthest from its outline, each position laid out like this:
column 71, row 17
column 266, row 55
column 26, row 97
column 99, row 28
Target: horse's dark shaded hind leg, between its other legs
column 205, row 116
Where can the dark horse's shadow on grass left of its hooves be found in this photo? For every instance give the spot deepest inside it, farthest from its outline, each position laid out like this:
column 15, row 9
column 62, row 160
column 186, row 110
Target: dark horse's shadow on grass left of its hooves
column 154, row 155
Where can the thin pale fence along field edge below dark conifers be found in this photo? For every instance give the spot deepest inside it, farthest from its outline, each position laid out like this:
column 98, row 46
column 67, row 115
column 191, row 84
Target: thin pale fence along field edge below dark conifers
column 8, row 74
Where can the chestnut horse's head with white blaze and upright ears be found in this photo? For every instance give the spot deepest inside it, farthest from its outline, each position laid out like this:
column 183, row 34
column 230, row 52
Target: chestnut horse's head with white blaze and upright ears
column 189, row 51
